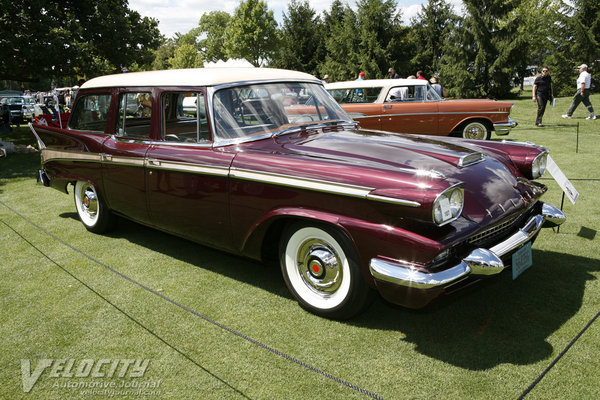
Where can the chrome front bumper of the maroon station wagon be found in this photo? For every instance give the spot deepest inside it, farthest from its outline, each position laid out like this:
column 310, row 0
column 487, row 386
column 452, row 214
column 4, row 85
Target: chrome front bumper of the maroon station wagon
column 480, row 262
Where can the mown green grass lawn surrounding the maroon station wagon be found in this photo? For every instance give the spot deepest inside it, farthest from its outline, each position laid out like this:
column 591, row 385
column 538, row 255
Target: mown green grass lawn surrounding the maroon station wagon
column 59, row 303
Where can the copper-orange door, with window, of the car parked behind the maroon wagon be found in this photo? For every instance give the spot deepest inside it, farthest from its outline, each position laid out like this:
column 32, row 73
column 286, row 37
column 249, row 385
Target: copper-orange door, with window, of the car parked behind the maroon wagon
column 407, row 109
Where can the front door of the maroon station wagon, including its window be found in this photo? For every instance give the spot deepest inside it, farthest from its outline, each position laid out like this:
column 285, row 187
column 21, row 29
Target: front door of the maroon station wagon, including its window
column 187, row 178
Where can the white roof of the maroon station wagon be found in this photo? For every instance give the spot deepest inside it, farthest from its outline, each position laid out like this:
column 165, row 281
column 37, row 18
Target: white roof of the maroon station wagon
column 195, row 77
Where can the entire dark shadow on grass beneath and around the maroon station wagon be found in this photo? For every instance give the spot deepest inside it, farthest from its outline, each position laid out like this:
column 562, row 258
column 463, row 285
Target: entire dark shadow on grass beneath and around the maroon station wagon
column 499, row 321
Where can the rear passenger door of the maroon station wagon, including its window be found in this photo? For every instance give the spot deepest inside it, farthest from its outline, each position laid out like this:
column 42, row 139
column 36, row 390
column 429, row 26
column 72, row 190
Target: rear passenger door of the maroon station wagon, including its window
column 123, row 155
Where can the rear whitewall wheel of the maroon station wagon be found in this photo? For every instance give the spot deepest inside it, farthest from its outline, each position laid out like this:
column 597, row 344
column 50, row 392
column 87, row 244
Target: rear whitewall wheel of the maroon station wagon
column 92, row 211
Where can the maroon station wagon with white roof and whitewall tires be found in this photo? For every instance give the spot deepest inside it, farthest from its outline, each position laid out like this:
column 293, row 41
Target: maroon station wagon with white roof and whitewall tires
column 264, row 163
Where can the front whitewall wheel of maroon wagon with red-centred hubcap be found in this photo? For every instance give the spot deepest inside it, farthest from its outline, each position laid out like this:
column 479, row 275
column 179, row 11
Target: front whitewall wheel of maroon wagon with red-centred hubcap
column 321, row 270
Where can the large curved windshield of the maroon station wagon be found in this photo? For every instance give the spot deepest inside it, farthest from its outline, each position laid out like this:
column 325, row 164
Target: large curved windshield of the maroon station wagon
column 272, row 108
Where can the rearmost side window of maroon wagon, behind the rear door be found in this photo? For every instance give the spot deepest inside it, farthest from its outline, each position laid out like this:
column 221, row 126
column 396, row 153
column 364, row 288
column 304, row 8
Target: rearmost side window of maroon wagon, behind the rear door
column 90, row 112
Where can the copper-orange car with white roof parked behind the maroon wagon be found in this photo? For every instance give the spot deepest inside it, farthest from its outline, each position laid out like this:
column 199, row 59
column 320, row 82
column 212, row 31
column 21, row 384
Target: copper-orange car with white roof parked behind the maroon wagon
column 413, row 106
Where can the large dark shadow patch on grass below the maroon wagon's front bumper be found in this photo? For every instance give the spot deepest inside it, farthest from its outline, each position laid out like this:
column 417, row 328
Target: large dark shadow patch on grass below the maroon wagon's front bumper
column 501, row 321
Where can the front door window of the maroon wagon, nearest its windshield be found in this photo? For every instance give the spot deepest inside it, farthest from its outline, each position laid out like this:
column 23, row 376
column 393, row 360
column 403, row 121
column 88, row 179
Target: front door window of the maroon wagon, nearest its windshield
column 184, row 117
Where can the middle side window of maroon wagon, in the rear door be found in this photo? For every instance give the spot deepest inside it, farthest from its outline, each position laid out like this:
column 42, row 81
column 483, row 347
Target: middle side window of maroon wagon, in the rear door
column 135, row 113
